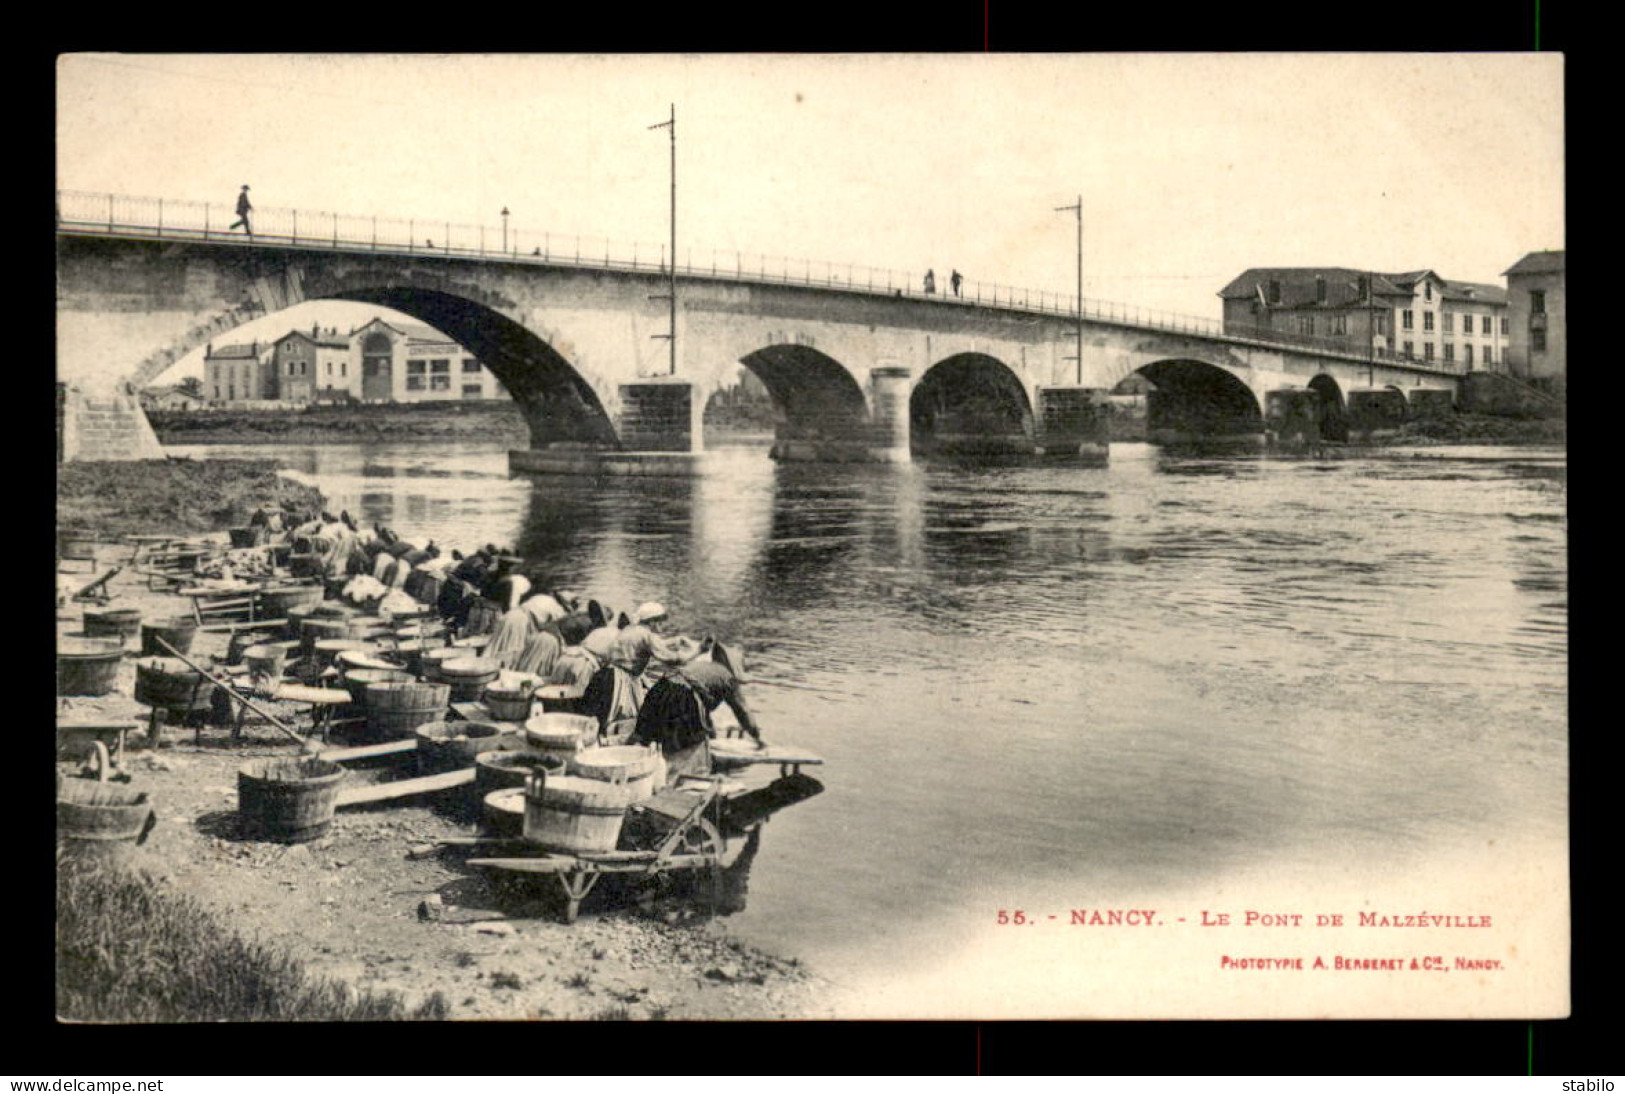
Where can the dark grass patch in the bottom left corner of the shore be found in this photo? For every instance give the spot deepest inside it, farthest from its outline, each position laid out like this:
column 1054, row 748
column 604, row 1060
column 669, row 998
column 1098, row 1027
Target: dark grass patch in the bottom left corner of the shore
column 131, row 952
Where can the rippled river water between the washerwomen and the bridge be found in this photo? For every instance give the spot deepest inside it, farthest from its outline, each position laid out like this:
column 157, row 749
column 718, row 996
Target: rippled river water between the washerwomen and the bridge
column 1171, row 684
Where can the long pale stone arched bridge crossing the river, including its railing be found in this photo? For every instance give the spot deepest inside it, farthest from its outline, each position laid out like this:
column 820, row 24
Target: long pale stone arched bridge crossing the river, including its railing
column 860, row 365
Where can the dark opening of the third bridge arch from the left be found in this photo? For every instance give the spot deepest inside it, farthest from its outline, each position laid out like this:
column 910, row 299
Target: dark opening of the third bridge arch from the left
column 969, row 402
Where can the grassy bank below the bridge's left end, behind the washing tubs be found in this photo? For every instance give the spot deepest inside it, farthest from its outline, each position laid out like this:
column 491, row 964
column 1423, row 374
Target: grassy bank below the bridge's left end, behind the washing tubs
column 154, row 497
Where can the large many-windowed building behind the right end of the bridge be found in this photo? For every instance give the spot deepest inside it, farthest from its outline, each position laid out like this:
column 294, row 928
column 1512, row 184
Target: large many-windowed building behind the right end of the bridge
column 1415, row 316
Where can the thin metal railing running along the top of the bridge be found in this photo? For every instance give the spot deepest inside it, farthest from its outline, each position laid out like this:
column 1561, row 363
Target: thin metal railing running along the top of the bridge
column 89, row 212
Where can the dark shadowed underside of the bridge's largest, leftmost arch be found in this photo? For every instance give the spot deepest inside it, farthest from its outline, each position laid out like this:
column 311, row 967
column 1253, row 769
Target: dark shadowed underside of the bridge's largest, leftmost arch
column 560, row 406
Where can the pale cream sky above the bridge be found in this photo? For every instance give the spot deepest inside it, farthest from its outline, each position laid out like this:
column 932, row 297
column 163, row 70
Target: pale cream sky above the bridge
column 1190, row 167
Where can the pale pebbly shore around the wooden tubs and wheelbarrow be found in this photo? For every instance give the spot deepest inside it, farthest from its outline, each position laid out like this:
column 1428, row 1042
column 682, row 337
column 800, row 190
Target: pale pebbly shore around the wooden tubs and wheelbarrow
column 352, row 905
